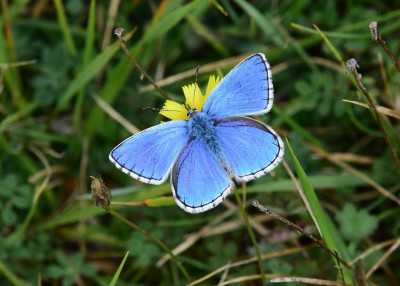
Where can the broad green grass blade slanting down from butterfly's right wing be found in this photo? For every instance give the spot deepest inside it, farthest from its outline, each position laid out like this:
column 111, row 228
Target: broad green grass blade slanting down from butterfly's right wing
column 329, row 233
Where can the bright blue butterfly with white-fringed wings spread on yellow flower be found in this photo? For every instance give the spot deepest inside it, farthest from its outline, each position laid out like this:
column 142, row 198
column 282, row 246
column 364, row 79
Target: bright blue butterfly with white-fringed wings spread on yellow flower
column 214, row 145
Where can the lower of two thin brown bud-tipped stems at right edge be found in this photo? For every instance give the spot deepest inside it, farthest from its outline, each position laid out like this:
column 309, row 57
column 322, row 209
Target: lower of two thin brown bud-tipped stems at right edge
column 352, row 66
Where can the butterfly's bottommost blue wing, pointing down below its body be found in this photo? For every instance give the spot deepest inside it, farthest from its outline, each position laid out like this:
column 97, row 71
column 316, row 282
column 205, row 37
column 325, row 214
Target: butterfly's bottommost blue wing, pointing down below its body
column 198, row 182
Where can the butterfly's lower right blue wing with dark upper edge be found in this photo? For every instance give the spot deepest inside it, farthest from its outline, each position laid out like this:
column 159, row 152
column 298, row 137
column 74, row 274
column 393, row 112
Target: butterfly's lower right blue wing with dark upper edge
column 251, row 147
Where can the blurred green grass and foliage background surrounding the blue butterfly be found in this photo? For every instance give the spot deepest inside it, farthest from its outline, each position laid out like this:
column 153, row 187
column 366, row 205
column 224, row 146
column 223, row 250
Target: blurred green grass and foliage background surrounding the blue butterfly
column 64, row 79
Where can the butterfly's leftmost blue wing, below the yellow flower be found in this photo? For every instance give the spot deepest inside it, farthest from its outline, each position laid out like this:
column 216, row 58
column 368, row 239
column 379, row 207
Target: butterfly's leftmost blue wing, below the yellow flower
column 148, row 156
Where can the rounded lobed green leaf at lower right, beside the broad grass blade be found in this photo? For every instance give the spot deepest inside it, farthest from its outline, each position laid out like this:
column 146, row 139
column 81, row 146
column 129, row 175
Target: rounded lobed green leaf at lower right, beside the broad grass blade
column 356, row 224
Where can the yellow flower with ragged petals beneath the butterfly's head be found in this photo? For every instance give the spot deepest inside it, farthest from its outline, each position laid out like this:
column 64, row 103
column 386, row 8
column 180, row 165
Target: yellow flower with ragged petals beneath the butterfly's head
column 194, row 100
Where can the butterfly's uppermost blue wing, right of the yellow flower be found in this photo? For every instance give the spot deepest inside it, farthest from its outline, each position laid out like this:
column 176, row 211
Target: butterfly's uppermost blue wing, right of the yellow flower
column 246, row 90
